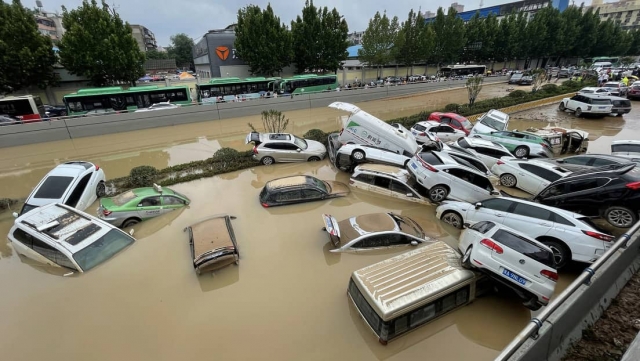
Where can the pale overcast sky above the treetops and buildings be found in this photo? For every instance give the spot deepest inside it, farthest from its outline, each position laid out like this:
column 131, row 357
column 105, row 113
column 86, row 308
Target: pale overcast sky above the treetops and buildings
column 195, row 17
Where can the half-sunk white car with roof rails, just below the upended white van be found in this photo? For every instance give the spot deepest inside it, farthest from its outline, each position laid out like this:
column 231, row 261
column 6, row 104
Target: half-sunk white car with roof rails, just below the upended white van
column 388, row 181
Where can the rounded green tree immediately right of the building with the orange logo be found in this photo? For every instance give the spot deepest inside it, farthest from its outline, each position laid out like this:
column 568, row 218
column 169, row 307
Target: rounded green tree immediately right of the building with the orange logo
column 262, row 41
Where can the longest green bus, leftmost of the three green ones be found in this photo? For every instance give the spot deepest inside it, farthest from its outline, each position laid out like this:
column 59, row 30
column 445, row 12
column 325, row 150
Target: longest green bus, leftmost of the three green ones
column 119, row 99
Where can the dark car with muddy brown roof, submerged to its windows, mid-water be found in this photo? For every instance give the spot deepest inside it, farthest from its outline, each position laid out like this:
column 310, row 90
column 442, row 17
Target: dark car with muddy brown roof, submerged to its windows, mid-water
column 299, row 189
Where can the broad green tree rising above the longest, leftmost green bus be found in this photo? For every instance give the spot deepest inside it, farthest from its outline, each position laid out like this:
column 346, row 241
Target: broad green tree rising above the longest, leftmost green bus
column 99, row 45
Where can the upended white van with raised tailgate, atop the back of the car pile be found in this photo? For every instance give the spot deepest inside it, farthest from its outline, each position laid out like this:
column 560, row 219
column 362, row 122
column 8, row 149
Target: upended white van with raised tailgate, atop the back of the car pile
column 361, row 127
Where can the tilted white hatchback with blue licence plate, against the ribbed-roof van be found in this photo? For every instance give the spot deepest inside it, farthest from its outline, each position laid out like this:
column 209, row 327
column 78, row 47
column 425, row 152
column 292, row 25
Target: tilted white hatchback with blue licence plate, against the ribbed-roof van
column 511, row 258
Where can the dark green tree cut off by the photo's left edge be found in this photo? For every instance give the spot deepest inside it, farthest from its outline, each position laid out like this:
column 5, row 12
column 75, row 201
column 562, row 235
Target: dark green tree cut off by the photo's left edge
column 26, row 56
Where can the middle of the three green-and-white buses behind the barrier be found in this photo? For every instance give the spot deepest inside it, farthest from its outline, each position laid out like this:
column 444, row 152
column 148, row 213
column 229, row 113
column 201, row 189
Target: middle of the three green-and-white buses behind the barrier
column 228, row 88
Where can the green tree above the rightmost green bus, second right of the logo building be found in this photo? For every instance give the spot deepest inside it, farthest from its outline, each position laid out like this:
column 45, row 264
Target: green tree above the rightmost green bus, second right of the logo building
column 319, row 39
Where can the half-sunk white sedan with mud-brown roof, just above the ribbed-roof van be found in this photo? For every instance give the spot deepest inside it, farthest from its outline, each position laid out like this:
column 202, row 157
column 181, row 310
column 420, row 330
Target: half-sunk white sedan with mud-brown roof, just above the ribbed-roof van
column 372, row 231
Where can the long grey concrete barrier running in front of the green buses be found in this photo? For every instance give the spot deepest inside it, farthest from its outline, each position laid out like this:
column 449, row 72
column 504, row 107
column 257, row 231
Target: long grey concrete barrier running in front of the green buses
column 77, row 127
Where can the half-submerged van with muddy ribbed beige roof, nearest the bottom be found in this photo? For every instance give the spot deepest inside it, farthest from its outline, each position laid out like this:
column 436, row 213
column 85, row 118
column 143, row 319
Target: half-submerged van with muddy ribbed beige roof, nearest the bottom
column 410, row 290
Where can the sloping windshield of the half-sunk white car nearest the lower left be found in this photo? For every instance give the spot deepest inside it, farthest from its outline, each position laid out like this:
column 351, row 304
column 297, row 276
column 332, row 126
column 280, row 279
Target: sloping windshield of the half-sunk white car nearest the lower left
column 102, row 249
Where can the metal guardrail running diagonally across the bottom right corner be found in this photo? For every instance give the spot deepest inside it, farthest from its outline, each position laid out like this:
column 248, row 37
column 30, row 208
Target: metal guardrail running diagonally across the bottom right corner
column 531, row 330
